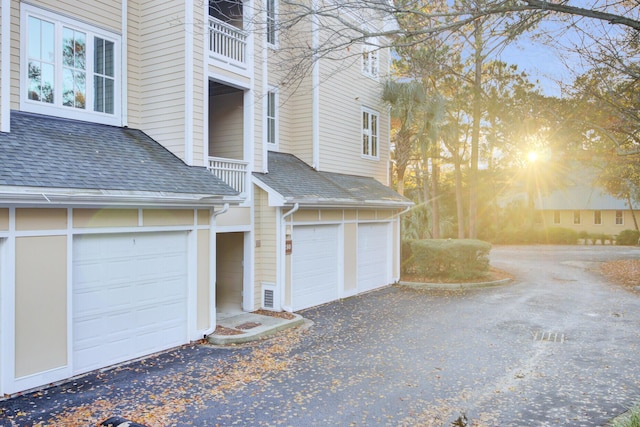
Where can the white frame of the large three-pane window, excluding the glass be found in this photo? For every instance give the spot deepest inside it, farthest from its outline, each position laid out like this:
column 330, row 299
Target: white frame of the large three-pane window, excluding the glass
column 56, row 108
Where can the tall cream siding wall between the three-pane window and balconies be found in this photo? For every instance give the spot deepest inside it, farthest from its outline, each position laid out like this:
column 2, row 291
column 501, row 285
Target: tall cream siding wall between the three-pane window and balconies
column 162, row 73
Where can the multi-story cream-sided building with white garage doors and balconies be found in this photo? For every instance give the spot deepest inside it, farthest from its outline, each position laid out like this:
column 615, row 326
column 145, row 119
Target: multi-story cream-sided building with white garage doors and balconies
column 152, row 176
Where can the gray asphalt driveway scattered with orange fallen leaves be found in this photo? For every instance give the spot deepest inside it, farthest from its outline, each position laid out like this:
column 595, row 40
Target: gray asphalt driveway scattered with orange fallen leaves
column 559, row 346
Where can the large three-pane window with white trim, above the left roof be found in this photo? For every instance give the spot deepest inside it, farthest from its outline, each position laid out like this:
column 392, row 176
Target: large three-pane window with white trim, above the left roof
column 70, row 68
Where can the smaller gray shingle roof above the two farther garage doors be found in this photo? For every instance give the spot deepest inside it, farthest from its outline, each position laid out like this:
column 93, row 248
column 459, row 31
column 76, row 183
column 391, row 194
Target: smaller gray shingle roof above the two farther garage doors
column 298, row 182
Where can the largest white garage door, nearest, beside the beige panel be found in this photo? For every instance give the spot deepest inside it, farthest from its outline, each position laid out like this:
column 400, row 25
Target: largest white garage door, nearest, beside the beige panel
column 129, row 296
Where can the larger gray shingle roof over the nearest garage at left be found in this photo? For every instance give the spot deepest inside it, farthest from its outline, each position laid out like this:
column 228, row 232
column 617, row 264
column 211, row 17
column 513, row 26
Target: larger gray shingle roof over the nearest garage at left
column 43, row 151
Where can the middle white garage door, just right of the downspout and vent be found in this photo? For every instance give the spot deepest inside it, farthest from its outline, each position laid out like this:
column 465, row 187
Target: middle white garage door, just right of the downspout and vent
column 315, row 265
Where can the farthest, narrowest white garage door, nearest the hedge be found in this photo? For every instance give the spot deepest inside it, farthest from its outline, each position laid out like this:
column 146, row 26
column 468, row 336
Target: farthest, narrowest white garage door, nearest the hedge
column 373, row 256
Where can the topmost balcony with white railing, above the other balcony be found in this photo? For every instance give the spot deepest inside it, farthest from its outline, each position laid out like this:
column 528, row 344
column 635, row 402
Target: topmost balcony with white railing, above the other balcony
column 227, row 38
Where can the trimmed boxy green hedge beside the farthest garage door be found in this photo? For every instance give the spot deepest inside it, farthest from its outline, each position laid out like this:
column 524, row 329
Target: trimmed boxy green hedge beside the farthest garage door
column 453, row 259
